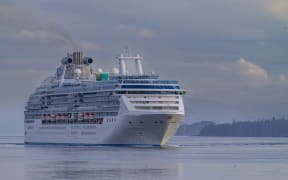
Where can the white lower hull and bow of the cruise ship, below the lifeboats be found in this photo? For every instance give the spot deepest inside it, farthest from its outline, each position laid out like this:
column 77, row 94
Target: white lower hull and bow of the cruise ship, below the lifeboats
column 145, row 129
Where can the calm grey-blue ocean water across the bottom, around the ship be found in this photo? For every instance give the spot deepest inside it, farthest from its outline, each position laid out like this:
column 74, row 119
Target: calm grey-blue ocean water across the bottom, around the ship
column 198, row 158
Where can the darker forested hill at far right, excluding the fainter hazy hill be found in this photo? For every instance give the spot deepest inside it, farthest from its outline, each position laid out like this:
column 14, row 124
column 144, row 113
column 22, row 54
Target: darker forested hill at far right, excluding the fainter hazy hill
column 265, row 128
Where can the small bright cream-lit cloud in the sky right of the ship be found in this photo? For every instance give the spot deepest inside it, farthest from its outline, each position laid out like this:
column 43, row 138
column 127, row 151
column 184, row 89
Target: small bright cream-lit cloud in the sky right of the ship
column 251, row 70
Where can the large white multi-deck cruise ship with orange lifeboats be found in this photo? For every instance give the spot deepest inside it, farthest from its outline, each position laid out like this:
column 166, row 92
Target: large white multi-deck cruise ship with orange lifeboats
column 80, row 106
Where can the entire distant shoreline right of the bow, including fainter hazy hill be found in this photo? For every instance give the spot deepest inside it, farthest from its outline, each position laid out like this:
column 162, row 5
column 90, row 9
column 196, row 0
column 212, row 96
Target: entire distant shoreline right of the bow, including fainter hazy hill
column 264, row 128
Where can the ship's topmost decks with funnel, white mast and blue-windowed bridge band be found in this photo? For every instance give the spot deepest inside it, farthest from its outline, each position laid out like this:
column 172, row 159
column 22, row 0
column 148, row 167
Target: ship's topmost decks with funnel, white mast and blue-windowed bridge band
column 76, row 73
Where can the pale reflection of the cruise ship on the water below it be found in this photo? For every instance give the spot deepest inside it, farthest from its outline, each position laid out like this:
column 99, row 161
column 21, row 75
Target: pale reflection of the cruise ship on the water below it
column 104, row 163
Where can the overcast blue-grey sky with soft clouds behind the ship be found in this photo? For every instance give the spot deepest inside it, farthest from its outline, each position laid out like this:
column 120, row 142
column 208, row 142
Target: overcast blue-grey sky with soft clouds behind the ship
column 230, row 55
